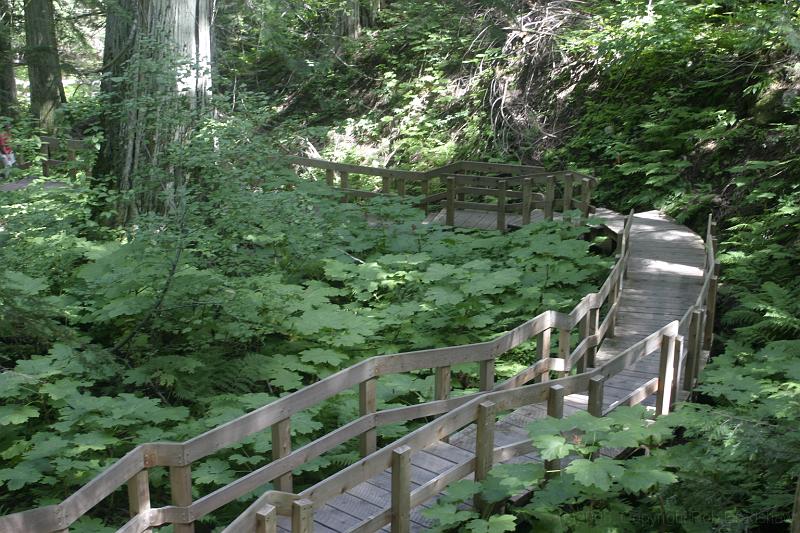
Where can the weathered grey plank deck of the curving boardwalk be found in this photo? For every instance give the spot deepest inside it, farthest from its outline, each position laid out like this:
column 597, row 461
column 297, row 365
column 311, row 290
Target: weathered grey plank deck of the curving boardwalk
column 664, row 279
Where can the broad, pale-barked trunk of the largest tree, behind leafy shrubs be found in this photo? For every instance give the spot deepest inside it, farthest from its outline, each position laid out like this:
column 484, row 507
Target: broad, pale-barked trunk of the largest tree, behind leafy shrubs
column 157, row 58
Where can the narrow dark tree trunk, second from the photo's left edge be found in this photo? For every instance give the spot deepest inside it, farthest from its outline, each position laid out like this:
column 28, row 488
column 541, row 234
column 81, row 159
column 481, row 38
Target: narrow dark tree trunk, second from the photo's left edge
column 41, row 56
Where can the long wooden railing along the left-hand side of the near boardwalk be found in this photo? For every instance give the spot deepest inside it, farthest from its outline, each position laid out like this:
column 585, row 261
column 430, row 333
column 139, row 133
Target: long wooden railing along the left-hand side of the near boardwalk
column 132, row 470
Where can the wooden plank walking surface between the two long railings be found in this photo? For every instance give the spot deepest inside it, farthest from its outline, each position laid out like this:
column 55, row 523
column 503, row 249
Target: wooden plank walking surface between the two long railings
column 664, row 279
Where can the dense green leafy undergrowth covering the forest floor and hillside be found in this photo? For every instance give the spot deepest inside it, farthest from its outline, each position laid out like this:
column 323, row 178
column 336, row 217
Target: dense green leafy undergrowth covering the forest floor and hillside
column 242, row 281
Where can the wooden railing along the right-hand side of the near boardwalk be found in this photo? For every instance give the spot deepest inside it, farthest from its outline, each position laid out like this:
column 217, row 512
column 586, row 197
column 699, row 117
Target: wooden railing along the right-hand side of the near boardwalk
column 679, row 354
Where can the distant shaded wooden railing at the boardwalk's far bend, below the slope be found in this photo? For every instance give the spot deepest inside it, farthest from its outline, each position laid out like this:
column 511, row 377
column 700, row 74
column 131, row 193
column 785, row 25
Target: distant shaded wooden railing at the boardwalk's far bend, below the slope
column 519, row 189
